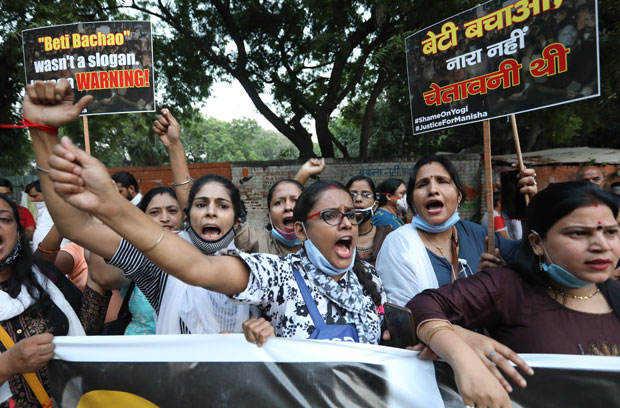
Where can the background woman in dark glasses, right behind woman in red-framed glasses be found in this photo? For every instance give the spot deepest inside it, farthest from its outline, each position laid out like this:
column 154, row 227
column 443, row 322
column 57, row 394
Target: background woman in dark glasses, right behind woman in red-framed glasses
column 370, row 236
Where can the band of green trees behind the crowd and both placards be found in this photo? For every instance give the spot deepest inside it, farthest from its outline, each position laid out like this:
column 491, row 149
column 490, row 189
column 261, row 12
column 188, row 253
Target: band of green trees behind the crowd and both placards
column 340, row 64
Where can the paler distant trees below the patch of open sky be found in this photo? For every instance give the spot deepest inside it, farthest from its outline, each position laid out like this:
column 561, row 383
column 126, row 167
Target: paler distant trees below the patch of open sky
column 128, row 140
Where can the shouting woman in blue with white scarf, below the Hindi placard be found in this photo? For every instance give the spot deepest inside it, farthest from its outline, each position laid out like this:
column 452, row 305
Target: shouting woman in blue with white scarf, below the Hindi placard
column 438, row 247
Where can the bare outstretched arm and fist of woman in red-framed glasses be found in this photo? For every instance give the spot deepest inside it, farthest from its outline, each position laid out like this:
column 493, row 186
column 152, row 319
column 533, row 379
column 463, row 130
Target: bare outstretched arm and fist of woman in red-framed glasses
column 84, row 183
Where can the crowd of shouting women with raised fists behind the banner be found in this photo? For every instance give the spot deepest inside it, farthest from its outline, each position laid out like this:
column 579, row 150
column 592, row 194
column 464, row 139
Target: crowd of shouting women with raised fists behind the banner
column 331, row 256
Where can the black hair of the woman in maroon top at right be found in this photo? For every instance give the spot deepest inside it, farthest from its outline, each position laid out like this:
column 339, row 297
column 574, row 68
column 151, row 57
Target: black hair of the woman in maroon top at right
column 548, row 207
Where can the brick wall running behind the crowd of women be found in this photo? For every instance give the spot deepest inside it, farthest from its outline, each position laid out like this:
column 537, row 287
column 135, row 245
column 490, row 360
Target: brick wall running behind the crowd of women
column 255, row 178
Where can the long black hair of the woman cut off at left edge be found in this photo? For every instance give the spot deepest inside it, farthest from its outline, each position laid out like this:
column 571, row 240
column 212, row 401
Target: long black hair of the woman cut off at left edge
column 23, row 273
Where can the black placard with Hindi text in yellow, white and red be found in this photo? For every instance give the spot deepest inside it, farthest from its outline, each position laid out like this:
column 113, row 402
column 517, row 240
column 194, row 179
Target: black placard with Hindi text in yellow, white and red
column 501, row 58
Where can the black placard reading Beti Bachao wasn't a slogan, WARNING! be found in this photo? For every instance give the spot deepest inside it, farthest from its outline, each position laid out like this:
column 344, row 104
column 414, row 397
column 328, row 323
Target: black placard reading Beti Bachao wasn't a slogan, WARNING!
column 110, row 60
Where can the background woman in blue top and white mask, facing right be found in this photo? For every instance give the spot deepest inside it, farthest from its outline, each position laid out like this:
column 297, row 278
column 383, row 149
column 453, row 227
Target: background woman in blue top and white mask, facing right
column 392, row 201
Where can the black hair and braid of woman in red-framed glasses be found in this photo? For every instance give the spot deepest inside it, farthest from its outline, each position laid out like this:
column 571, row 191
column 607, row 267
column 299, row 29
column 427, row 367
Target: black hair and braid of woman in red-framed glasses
column 304, row 204
